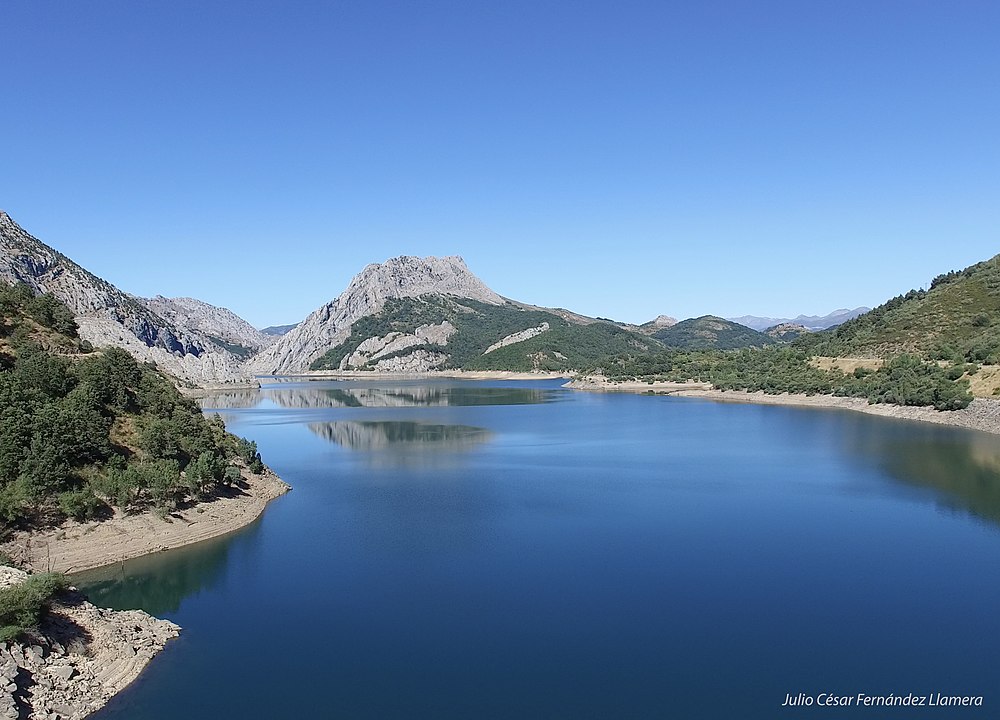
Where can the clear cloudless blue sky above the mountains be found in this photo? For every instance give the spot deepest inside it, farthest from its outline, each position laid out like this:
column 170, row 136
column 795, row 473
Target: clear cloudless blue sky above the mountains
column 622, row 159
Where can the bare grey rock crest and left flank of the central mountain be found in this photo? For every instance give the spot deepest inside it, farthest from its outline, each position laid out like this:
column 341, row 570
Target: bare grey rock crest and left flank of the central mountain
column 368, row 292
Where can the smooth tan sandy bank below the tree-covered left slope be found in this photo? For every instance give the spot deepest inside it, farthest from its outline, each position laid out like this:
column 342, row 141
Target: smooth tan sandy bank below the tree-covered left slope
column 74, row 546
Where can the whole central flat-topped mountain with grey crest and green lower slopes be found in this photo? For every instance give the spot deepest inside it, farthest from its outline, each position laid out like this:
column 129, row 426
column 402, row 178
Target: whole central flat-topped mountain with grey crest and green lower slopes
column 414, row 314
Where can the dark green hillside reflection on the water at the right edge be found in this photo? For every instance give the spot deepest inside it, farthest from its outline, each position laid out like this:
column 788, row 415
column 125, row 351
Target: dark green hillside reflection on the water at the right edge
column 961, row 467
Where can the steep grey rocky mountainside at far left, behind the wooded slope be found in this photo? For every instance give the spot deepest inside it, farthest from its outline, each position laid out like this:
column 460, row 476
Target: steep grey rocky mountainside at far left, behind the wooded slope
column 108, row 316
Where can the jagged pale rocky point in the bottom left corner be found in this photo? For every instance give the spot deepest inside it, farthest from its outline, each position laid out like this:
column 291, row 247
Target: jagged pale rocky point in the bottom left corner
column 78, row 659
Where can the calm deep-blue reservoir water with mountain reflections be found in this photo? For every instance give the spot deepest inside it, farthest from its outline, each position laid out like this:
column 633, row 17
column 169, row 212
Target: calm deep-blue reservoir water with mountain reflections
column 514, row 550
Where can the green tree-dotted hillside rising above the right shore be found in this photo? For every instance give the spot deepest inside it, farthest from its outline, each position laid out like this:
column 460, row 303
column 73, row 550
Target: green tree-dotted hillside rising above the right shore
column 925, row 346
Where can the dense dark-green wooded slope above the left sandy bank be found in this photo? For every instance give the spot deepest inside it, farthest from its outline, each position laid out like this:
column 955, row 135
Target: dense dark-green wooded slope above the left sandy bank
column 83, row 431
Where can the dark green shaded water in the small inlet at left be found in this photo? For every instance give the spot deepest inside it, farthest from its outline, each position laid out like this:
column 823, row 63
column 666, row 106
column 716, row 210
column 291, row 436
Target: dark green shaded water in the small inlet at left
column 159, row 583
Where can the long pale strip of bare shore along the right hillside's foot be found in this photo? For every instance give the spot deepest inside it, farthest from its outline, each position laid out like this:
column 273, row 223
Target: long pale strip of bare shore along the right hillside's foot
column 982, row 414
